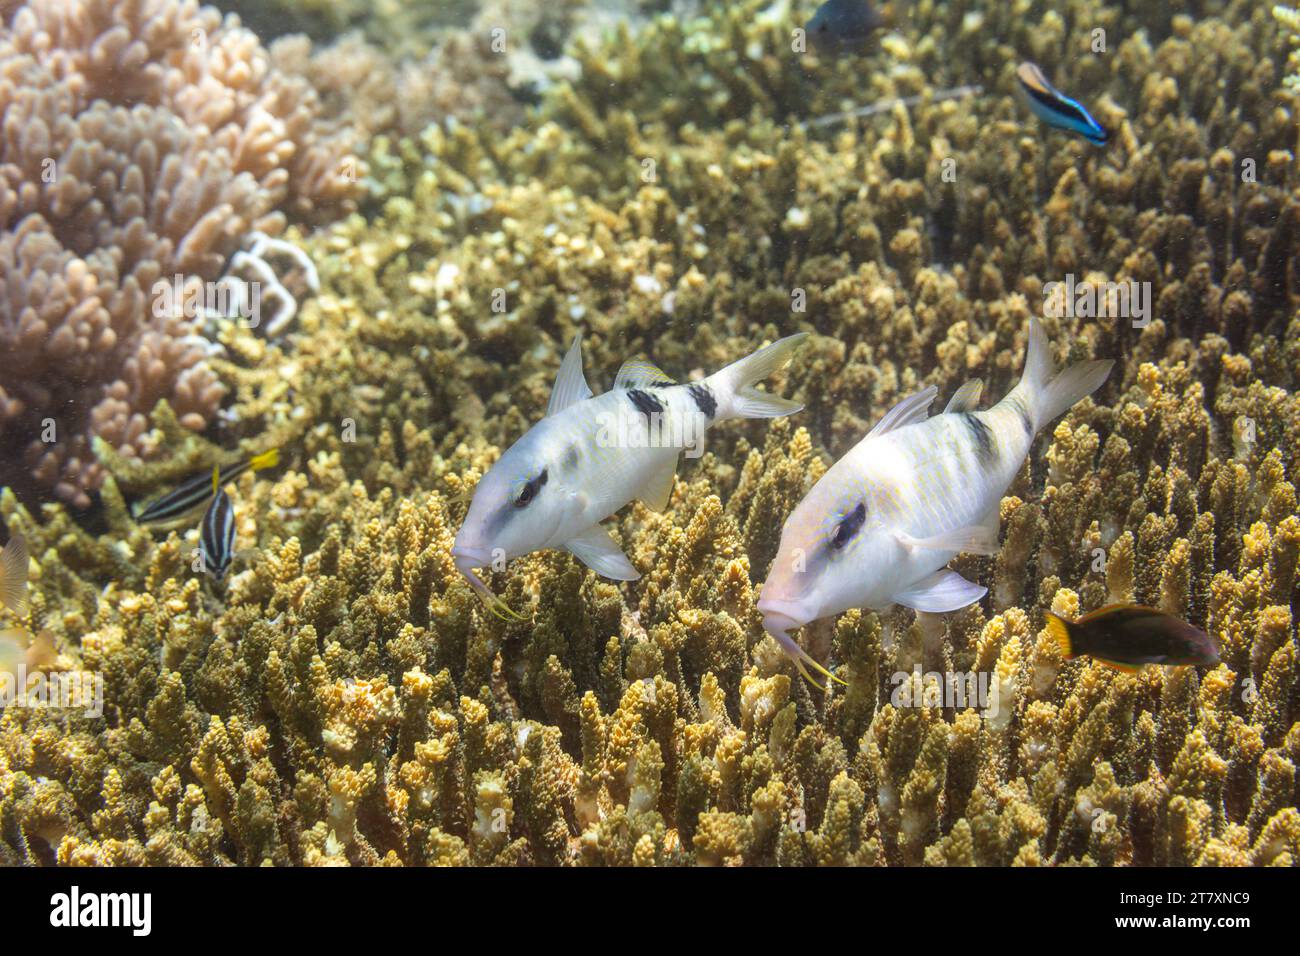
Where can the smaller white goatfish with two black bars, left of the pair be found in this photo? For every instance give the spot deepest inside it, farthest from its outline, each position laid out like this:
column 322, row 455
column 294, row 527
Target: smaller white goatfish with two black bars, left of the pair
column 591, row 456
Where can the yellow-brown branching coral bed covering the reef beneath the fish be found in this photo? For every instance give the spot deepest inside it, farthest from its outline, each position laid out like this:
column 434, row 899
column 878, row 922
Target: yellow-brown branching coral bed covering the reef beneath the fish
column 346, row 700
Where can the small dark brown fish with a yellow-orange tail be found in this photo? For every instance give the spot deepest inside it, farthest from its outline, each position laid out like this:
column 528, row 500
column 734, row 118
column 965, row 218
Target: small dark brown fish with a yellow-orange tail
column 1129, row 637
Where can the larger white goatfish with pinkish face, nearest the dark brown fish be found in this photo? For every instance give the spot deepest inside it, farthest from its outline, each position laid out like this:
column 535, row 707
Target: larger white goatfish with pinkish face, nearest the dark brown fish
column 883, row 522
